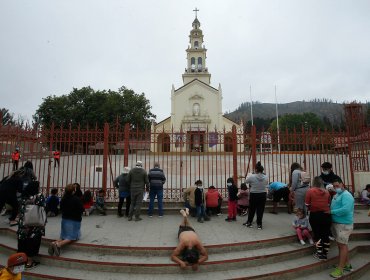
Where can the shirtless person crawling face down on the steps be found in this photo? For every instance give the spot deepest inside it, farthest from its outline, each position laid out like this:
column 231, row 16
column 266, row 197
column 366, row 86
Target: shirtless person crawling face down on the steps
column 189, row 251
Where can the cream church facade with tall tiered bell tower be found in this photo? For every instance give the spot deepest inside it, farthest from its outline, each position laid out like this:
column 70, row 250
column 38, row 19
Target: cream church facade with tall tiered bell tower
column 196, row 122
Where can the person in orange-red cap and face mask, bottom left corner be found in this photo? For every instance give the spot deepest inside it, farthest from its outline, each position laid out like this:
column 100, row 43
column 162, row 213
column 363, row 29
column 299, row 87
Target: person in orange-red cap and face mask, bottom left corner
column 15, row 267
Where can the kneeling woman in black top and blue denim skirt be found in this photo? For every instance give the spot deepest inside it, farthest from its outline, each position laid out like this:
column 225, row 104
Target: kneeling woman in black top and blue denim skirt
column 72, row 208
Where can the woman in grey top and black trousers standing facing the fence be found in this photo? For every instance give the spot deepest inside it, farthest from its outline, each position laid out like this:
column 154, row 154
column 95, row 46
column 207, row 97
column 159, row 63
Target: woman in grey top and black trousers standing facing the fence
column 258, row 183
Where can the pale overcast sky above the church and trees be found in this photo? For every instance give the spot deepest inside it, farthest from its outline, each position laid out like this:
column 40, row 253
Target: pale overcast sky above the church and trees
column 308, row 49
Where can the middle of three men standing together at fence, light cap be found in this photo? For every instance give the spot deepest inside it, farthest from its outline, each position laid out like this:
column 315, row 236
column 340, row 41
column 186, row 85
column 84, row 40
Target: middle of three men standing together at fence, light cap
column 138, row 181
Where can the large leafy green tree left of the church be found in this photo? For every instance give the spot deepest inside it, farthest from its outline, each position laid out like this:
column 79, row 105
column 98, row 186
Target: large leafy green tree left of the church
column 86, row 106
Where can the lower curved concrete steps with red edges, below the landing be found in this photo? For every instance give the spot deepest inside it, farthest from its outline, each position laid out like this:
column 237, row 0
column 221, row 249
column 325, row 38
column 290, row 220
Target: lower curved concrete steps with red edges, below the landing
column 269, row 266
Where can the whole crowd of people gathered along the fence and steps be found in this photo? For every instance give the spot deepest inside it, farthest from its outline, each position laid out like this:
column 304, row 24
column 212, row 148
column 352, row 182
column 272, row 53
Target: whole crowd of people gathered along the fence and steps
column 322, row 204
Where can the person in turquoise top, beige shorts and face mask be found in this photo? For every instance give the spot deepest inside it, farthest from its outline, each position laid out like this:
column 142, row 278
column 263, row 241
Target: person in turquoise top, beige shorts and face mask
column 342, row 210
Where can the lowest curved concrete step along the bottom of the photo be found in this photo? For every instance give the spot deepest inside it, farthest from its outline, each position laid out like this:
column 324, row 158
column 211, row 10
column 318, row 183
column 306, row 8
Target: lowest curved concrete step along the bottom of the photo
column 305, row 266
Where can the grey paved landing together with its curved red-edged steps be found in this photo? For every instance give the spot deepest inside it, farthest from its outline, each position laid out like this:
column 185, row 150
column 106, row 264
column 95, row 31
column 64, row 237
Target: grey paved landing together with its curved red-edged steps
column 114, row 248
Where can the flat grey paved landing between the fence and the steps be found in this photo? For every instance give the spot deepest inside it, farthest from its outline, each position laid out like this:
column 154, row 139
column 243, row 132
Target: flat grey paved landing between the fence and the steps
column 162, row 232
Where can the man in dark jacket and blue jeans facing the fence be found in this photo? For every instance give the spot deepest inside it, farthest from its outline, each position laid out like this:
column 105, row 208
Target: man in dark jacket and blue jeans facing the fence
column 156, row 180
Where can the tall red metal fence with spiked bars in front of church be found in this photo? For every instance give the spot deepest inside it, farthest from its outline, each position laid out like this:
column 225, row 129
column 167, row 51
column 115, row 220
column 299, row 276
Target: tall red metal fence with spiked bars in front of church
column 94, row 156
